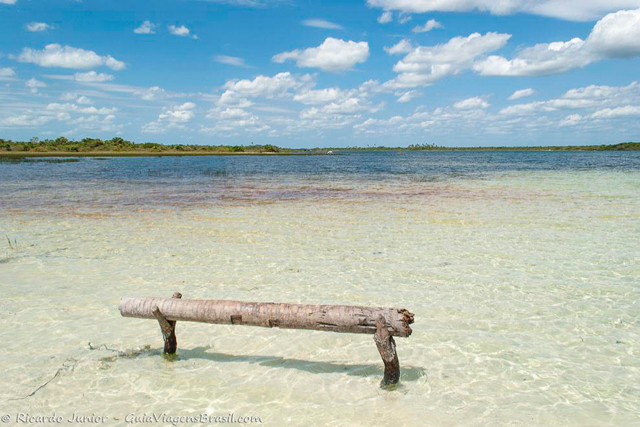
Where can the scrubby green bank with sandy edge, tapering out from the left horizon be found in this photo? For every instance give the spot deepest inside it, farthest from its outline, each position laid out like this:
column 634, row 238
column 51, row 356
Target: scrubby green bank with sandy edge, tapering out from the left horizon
column 119, row 145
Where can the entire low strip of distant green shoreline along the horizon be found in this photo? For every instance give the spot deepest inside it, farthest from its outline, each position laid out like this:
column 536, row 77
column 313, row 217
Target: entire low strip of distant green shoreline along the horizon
column 88, row 147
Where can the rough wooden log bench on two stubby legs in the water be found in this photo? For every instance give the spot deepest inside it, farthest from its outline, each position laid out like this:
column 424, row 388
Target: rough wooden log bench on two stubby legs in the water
column 383, row 323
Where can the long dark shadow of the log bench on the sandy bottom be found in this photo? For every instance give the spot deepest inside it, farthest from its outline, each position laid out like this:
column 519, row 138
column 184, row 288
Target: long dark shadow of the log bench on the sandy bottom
column 409, row 373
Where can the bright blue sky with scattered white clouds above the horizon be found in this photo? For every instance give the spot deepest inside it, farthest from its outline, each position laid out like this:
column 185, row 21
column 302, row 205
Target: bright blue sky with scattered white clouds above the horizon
column 312, row 73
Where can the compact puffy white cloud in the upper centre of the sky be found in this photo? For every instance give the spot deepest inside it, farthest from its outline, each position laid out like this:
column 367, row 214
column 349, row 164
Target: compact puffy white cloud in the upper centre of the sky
column 332, row 55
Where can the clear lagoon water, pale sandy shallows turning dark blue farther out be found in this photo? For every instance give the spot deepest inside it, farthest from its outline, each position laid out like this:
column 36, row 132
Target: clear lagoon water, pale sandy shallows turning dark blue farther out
column 522, row 269
